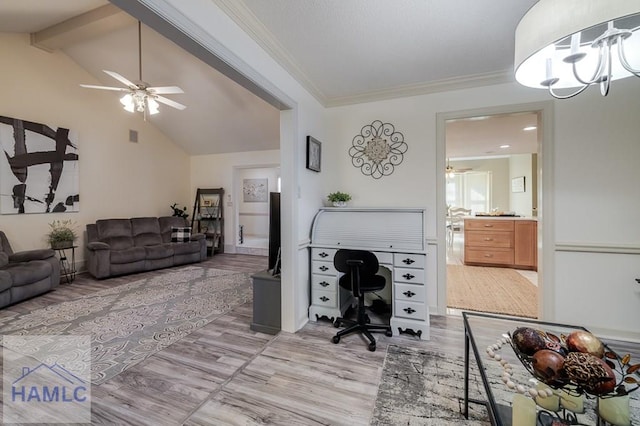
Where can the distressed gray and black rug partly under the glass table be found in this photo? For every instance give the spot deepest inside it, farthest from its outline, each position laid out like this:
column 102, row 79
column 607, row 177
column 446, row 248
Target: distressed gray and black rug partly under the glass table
column 420, row 387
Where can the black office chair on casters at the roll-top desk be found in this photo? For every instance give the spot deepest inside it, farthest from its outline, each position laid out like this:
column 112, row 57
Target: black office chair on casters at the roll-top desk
column 360, row 277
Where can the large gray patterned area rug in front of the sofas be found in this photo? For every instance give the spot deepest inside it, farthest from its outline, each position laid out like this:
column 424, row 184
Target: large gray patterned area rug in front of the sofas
column 130, row 322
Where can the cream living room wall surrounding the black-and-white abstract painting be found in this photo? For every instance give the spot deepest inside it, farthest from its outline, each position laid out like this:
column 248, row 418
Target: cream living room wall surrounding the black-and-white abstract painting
column 117, row 178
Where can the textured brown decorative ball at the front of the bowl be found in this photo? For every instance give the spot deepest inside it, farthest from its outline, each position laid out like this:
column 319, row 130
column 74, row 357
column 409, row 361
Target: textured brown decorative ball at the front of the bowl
column 590, row 372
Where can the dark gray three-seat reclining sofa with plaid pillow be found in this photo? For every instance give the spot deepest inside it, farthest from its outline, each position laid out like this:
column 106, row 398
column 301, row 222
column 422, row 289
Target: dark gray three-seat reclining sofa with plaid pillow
column 125, row 246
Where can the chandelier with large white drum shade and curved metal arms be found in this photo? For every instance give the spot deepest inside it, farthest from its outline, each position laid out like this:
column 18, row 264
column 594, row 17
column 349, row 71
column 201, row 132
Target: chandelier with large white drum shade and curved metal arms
column 573, row 44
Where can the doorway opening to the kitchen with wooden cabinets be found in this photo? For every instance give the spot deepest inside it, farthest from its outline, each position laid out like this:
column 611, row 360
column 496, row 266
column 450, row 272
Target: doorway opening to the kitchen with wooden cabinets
column 484, row 152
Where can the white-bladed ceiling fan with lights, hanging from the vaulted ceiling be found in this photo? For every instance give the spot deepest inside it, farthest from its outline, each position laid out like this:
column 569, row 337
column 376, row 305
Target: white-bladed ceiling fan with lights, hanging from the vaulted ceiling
column 140, row 96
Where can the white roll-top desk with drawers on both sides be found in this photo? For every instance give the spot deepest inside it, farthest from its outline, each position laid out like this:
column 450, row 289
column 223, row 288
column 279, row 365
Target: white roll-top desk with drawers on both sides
column 396, row 237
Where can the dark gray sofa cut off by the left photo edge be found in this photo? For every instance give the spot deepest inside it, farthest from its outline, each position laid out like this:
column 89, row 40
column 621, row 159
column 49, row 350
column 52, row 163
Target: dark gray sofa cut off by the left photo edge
column 26, row 273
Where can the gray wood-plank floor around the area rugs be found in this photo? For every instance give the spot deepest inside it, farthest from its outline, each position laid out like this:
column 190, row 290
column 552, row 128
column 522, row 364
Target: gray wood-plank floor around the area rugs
column 226, row 374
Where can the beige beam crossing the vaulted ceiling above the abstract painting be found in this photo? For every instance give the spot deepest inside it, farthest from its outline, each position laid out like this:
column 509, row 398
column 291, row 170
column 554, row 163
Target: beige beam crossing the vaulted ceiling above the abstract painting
column 94, row 23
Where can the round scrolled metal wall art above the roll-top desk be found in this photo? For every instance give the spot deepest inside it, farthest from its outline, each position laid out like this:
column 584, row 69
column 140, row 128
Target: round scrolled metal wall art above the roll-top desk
column 378, row 149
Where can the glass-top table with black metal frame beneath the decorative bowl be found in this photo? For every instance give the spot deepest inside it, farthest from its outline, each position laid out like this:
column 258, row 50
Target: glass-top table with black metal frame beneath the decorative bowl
column 486, row 335
